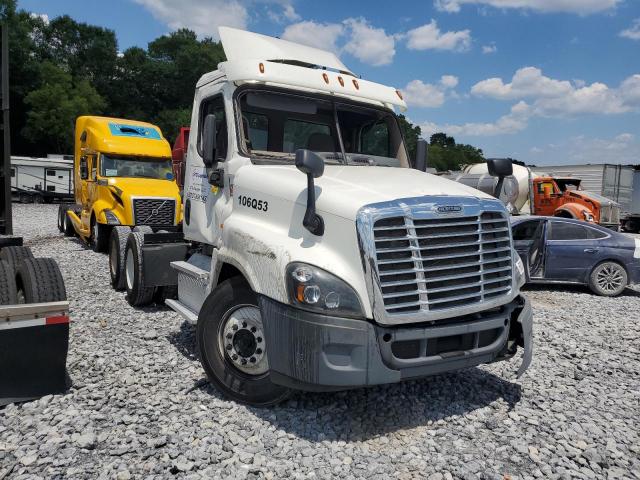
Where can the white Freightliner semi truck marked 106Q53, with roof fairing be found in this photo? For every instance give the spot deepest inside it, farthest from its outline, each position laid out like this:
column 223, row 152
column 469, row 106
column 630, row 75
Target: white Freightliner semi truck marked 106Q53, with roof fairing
column 312, row 255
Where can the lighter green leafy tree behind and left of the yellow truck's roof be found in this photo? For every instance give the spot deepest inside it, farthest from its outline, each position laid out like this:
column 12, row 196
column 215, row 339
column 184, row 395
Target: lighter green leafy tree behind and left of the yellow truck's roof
column 54, row 107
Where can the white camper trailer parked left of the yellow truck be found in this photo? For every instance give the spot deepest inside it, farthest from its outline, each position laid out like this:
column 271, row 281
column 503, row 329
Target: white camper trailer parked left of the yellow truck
column 41, row 179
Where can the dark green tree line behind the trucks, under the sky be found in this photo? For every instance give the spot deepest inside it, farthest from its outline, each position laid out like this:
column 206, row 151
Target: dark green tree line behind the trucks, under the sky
column 61, row 69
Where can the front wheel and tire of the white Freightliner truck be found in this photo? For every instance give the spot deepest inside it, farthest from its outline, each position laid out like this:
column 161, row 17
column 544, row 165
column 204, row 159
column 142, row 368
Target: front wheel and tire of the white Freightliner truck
column 232, row 347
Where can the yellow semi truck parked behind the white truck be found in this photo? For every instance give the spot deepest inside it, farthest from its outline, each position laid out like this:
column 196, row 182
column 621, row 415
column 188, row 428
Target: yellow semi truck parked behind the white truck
column 123, row 176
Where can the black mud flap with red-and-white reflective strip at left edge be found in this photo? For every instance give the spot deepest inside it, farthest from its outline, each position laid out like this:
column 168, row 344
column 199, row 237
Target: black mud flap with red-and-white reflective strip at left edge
column 34, row 340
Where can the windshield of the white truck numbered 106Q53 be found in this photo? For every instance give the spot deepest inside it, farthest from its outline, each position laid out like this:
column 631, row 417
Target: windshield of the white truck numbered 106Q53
column 275, row 125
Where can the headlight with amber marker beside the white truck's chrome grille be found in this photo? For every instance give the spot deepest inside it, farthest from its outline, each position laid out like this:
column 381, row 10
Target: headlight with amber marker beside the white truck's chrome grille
column 312, row 288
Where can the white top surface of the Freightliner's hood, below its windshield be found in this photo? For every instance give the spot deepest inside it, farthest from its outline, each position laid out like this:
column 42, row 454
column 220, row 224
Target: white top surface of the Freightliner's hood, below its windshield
column 343, row 190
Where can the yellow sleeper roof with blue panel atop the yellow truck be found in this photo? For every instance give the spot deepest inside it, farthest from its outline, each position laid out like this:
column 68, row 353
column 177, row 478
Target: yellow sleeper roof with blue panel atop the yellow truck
column 122, row 136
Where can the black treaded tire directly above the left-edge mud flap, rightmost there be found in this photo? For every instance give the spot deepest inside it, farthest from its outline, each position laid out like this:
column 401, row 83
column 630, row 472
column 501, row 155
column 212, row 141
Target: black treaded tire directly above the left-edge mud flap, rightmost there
column 39, row 280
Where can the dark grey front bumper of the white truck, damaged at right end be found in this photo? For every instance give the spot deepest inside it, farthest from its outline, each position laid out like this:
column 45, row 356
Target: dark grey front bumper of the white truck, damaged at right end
column 322, row 353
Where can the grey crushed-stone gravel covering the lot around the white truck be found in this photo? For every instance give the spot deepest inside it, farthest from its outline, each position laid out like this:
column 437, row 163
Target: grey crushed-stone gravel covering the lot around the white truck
column 140, row 406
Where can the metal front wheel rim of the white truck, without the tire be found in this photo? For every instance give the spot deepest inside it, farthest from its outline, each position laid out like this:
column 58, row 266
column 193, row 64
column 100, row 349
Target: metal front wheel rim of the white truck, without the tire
column 241, row 340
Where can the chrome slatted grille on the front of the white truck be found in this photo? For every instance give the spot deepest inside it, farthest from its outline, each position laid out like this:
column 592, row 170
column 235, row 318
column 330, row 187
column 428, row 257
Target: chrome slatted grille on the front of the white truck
column 441, row 263
